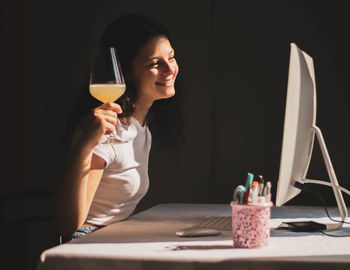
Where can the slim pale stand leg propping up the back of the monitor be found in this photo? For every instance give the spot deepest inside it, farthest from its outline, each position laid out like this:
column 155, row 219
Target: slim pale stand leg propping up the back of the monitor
column 333, row 181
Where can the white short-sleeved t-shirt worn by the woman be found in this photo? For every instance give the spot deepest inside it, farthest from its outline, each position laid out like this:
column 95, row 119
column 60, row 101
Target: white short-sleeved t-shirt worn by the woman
column 125, row 178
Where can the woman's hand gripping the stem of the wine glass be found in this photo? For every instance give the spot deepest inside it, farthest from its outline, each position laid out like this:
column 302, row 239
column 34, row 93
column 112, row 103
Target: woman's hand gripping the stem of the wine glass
column 103, row 120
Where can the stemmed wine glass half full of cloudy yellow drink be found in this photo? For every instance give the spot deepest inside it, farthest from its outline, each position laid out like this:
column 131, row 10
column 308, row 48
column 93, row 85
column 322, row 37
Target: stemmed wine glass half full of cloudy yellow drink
column 106, row 79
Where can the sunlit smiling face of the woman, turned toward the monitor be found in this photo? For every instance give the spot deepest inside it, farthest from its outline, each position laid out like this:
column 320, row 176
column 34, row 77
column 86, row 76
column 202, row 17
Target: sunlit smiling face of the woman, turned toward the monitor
column 154, row 71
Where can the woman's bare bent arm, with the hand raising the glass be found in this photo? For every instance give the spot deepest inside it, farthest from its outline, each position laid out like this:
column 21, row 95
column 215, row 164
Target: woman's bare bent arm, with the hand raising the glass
column 84, row 171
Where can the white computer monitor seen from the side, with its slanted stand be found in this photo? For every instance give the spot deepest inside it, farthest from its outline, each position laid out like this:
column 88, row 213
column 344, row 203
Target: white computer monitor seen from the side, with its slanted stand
column 299, row 132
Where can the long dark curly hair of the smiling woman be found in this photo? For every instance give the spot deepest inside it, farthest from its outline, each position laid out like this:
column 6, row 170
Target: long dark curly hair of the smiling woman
column 129, row 33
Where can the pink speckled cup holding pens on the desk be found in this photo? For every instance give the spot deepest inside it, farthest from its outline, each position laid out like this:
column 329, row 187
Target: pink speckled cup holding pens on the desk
column 251, row 225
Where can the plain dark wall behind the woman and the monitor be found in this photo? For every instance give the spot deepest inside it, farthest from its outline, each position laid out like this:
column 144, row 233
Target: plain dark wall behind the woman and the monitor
column 233, row 58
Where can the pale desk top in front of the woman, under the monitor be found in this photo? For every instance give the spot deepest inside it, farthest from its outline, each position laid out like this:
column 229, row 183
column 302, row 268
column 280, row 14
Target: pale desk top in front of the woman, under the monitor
column 147, row 240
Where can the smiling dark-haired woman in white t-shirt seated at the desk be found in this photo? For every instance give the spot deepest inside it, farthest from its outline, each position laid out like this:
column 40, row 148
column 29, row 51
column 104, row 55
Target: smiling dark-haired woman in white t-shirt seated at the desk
column 104, row 181
